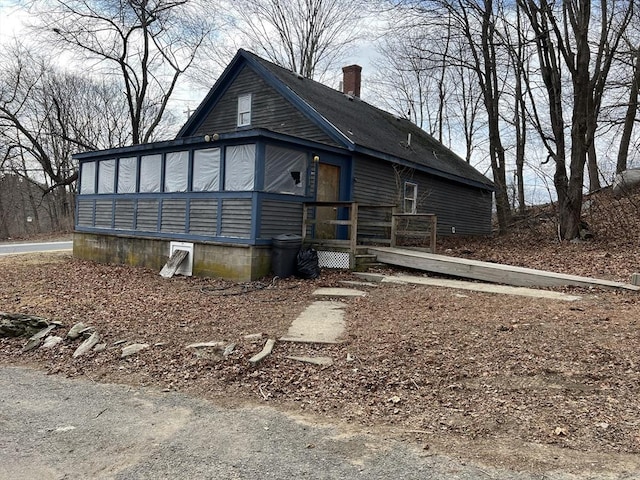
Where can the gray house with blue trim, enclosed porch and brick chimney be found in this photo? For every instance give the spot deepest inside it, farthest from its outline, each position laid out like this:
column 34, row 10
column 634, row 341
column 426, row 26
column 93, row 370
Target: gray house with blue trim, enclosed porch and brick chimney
column 264, row 143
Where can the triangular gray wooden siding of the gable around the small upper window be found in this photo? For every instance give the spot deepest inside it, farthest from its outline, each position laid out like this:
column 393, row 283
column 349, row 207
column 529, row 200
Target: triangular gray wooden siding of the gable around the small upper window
column 269, row 110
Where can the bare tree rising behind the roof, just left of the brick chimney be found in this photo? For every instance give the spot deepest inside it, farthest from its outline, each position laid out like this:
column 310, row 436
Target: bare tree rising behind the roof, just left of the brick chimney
column 305, row 36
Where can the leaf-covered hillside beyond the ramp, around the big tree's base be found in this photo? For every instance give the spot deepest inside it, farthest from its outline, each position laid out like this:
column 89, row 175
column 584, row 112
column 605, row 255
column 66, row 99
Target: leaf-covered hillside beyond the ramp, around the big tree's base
column 612, row 253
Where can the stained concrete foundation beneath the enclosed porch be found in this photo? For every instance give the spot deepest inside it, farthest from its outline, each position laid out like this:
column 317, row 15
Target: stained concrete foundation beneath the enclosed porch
column 241, row 263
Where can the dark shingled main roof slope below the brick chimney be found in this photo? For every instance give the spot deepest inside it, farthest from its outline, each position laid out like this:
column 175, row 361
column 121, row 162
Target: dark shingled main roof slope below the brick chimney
column 369, row 128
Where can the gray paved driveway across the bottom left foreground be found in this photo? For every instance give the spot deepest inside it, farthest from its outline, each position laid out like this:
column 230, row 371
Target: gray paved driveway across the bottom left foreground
column 56, row 428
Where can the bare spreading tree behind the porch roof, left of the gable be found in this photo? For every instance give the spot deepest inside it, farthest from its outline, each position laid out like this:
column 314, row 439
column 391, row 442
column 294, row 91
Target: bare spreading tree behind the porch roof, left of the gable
column 146, row 44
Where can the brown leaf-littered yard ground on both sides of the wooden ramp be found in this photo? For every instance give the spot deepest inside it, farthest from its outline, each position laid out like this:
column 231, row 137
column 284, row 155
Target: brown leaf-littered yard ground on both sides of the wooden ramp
column 537, row 384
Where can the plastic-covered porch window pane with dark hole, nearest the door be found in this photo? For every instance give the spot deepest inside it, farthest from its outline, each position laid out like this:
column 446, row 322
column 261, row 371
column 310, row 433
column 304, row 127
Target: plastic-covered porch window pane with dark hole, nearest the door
column 285, row 171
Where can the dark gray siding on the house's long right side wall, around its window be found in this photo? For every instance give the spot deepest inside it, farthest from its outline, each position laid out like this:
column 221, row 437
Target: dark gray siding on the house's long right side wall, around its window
column 465, row 208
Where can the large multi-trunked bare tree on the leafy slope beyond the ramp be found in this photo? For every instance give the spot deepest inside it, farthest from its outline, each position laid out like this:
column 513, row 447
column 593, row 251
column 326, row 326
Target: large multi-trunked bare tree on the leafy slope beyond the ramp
column 562, row 37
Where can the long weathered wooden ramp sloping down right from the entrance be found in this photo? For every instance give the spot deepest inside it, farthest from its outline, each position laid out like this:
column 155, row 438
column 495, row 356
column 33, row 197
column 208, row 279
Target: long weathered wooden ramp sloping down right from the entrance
column 486, row 271
